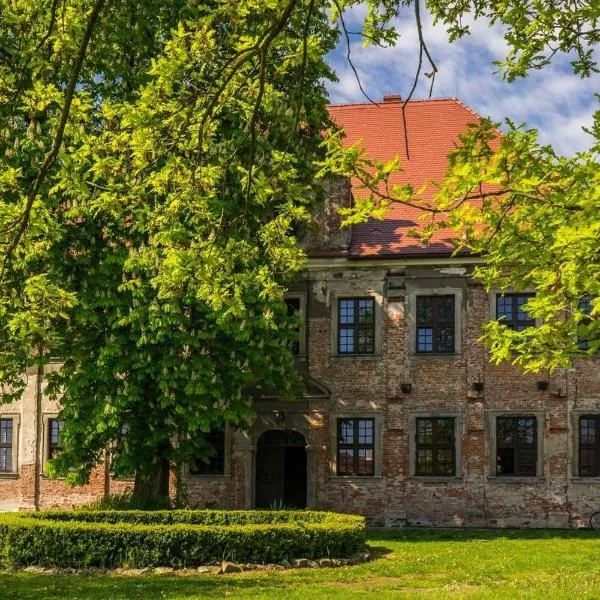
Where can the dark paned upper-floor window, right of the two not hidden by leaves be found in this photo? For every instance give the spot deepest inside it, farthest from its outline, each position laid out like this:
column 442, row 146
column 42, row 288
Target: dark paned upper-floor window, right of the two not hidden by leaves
column 435, row 324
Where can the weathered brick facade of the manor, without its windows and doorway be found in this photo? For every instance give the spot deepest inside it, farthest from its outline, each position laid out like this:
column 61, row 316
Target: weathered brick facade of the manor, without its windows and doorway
column 372, row 386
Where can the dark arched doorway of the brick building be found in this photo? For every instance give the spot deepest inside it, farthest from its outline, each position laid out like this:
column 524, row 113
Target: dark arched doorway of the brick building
column 281, row 469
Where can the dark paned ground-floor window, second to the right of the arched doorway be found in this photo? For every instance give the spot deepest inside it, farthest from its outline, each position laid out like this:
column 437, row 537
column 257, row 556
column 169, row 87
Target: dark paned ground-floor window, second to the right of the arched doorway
column 436, row 446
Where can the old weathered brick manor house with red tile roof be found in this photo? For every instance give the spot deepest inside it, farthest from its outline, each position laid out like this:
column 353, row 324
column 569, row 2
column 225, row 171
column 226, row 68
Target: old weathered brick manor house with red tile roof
column 402, row 417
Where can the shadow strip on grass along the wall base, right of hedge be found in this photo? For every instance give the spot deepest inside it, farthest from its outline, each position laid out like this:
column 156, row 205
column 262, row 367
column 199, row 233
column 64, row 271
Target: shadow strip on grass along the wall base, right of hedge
column 430, row 534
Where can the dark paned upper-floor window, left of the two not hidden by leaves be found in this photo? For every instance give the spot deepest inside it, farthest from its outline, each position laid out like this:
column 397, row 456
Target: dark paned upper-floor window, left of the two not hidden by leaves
column 356, row 326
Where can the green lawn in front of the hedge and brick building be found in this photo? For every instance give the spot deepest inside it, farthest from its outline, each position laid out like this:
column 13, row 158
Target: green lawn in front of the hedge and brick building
column 411, row 563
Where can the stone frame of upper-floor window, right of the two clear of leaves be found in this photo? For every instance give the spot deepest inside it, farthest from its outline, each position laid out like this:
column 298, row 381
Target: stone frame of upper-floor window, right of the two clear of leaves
column 411, row 319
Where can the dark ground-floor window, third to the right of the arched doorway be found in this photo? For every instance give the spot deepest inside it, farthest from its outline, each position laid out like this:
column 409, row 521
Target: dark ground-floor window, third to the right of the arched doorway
column 516, row 446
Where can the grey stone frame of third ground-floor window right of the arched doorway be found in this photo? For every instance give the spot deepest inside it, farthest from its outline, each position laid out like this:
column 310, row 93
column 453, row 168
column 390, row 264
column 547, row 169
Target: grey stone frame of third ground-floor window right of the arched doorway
column 540, row 424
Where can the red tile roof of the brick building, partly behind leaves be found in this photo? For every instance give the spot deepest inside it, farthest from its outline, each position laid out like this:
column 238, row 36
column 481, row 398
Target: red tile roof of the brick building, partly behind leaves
column 433, row 128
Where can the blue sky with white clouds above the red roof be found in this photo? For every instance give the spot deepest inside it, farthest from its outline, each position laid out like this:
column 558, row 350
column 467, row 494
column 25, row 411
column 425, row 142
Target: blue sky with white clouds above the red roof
column 553, row 100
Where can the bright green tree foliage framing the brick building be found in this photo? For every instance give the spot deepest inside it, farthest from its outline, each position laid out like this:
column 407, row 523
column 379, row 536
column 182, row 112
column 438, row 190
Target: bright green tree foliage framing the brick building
column 155, row 159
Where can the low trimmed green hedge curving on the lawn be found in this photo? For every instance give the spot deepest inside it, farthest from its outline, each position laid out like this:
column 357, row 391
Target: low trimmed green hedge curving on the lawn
column 179, row 538
